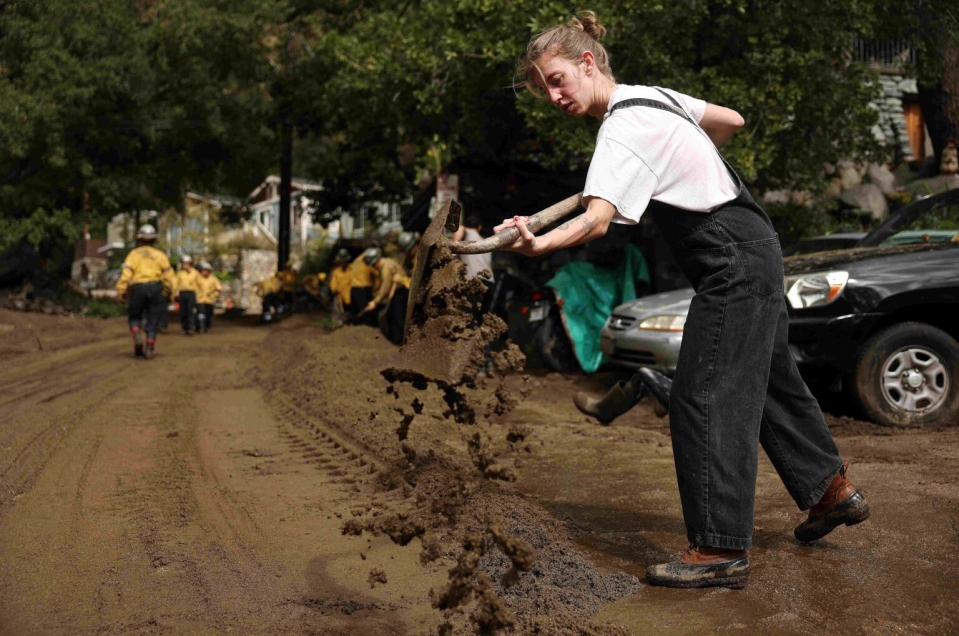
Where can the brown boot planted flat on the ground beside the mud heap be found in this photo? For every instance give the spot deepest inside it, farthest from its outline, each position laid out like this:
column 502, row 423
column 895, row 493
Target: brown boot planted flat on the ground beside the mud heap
column 703, row 566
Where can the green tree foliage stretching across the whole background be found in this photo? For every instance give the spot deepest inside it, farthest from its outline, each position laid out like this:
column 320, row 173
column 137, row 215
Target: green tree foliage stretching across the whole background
column 113, row 106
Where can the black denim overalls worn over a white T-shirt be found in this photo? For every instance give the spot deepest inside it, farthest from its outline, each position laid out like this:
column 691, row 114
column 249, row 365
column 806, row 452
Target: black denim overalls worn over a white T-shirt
column 736, row 384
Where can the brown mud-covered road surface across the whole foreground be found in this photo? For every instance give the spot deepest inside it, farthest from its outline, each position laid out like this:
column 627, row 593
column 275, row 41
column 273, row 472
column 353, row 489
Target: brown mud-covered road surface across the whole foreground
column 255, row 480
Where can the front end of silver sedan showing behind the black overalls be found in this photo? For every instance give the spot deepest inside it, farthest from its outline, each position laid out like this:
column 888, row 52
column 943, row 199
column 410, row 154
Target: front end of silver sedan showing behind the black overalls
column 647, row 332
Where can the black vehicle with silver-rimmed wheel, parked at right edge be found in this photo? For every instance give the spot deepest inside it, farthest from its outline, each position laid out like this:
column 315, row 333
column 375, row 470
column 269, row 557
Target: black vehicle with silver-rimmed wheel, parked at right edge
column 882, row 318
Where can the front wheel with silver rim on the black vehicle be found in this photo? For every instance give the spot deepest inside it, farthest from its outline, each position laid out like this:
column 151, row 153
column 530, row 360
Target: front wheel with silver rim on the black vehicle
column 908, row 375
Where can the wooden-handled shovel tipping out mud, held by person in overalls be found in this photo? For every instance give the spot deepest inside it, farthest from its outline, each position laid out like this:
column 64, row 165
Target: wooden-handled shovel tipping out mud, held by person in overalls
column 449, row 218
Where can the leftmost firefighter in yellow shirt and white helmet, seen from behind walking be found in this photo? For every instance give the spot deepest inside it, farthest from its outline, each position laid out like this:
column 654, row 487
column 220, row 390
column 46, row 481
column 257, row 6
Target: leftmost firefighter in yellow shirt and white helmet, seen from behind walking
column 145, row 284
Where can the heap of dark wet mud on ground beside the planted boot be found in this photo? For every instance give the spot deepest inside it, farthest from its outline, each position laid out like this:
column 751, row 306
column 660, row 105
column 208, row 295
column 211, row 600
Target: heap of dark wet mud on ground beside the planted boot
column 521, row 568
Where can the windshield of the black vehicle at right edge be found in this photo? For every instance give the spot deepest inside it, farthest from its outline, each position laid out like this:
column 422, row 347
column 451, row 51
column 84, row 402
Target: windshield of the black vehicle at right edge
column 932, row 220
